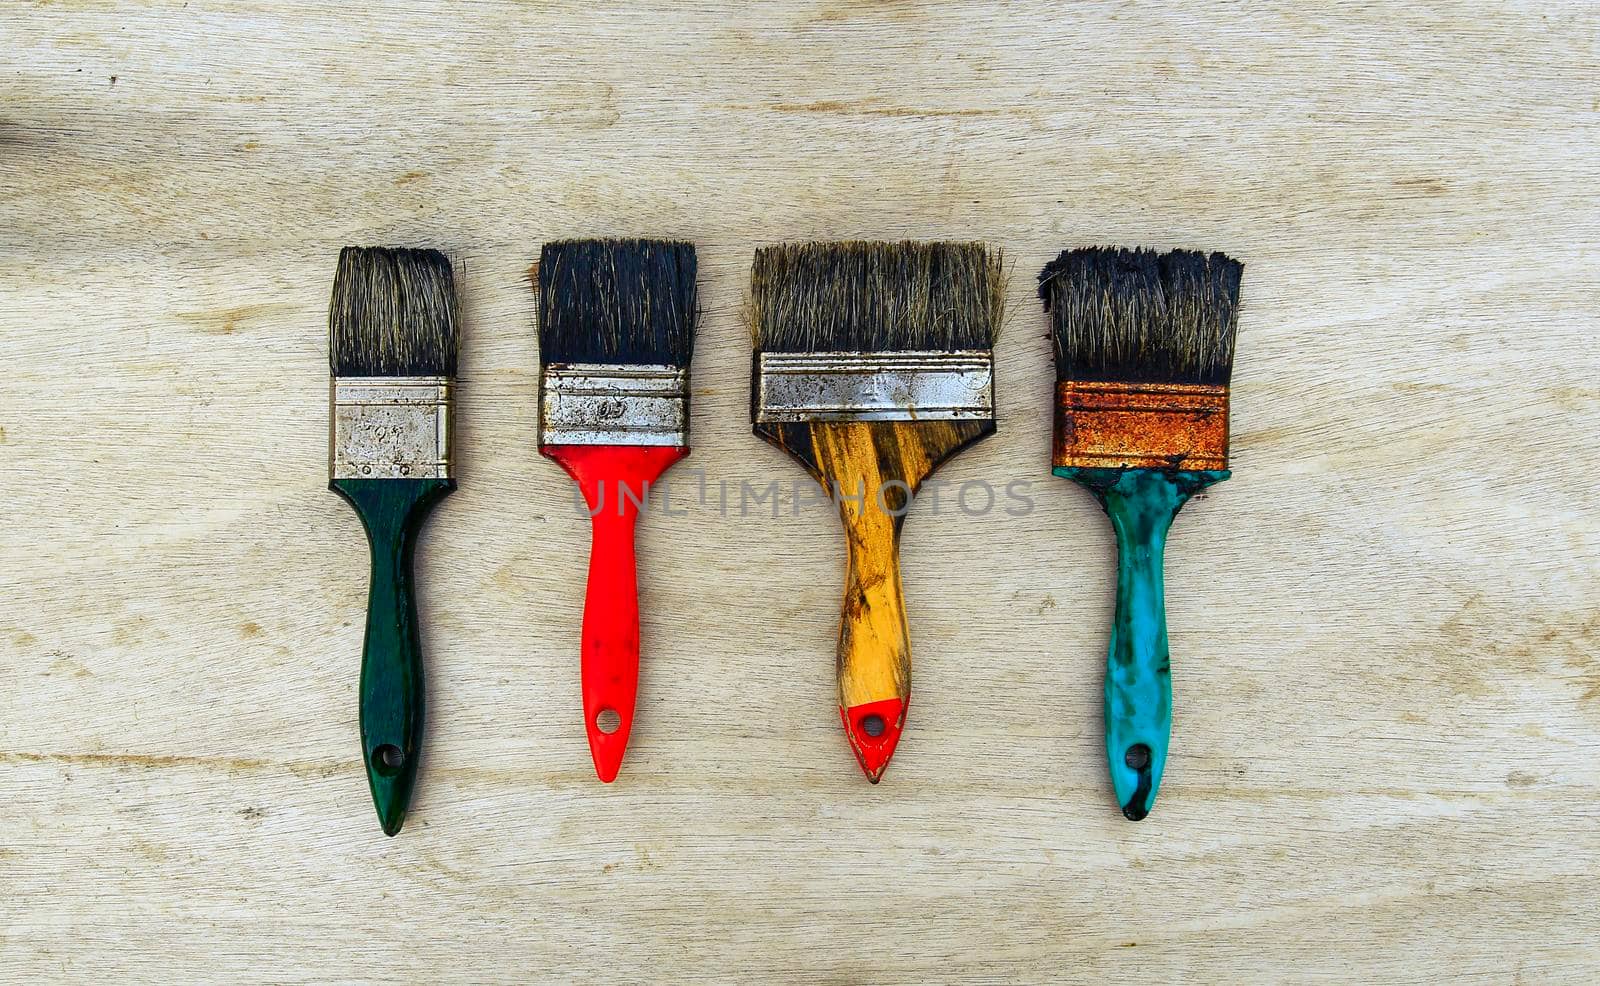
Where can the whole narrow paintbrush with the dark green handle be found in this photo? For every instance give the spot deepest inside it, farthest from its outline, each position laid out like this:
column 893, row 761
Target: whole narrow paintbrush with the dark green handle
column 393, row 351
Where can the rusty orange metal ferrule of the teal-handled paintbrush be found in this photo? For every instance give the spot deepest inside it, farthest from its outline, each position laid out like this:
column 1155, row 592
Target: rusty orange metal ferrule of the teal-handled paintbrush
column 1121, row 425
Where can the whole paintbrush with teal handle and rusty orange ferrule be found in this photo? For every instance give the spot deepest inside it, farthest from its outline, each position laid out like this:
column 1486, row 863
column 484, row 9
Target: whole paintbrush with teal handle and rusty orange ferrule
column 1145, row 350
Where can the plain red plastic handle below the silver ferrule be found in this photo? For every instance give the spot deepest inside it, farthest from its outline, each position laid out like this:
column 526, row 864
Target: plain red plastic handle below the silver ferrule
column 615, row 483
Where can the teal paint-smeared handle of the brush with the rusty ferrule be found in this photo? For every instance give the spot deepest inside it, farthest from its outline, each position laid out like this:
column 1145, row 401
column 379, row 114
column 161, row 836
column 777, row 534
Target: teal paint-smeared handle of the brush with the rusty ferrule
column 1142, row 505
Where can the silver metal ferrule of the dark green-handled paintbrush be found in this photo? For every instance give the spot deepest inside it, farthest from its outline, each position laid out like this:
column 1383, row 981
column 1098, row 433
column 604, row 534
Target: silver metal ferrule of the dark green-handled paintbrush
column 391, row 428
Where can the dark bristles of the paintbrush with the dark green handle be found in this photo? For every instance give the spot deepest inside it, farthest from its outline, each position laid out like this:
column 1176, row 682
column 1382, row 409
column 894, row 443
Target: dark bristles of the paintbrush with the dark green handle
column 393, row 315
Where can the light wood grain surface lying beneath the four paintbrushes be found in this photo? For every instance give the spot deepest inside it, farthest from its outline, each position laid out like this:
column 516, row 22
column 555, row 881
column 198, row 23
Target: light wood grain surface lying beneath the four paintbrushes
column 1386, row 639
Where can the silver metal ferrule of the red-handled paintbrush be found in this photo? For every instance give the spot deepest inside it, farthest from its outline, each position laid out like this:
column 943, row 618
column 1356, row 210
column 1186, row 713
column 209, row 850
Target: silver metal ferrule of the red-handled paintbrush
column 614, row 404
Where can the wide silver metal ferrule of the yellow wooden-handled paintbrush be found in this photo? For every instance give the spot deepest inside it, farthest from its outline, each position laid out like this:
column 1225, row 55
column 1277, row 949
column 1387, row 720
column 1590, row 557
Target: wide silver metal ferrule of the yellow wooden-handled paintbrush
column 876, row 387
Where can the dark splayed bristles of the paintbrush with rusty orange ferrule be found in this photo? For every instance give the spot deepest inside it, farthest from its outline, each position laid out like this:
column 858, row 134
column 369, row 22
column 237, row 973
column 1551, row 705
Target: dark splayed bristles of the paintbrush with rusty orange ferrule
column 1143, row 316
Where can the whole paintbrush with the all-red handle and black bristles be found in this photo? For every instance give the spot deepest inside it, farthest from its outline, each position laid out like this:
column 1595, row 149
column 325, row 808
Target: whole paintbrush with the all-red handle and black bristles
column 617, row 332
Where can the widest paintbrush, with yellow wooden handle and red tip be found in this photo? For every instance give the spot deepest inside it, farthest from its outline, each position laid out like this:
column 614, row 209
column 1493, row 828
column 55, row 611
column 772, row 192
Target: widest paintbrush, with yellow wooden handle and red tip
column 874, row 364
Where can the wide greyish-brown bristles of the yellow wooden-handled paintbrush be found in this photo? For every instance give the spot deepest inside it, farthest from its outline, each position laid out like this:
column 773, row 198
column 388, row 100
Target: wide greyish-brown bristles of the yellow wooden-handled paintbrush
column 876, row 297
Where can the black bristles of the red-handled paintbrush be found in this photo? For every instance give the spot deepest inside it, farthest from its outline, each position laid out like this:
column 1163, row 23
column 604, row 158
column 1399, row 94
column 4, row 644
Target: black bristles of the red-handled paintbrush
column 617, row 302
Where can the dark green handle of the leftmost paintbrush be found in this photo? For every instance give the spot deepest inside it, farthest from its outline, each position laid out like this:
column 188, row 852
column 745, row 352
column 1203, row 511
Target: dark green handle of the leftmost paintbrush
column 393, row 691
